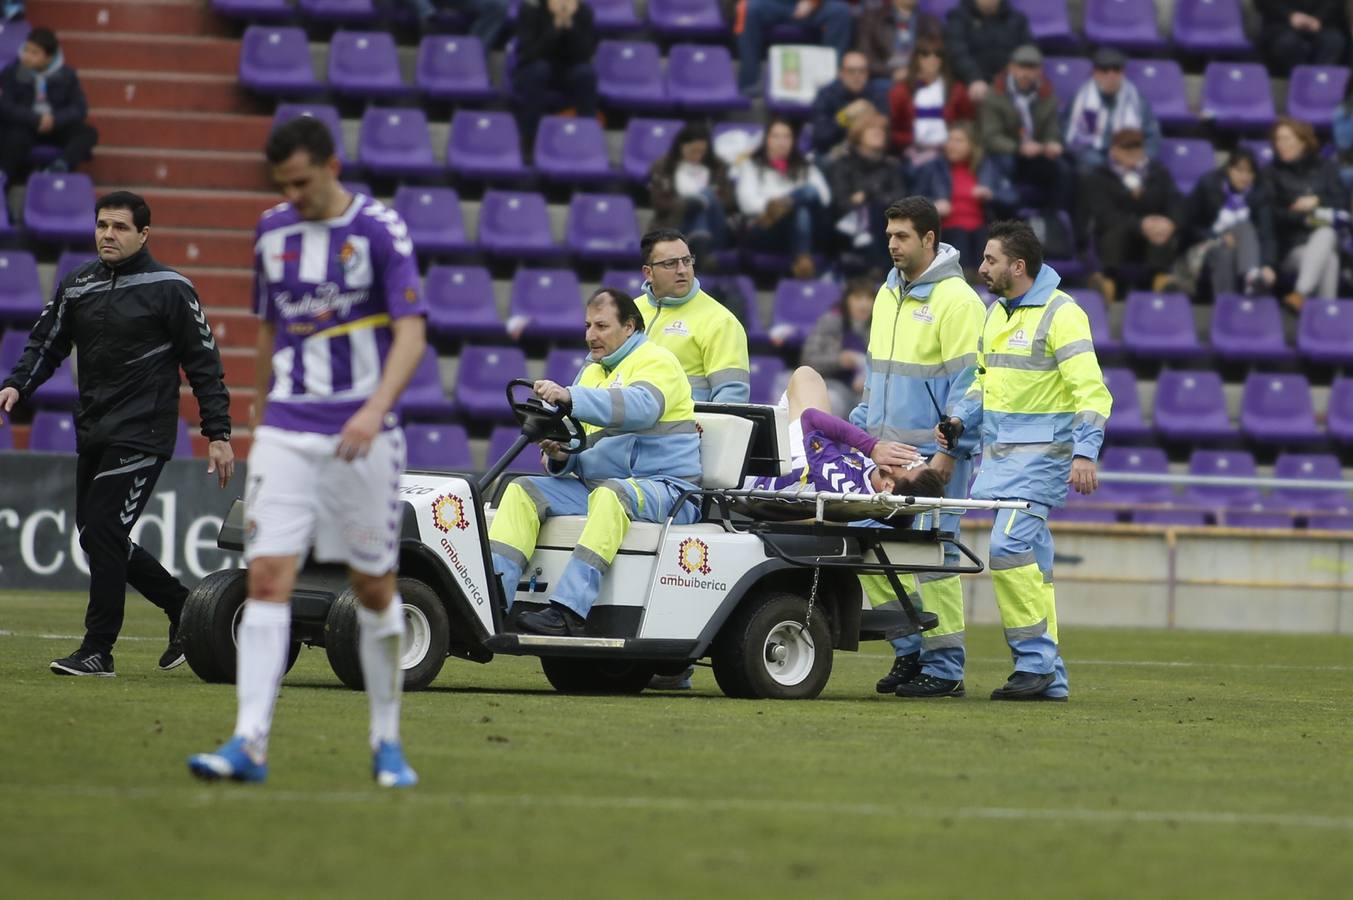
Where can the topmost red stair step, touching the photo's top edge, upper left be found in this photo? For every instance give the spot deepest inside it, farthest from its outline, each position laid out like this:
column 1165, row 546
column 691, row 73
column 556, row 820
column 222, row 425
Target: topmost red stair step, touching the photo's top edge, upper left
column 156, row 17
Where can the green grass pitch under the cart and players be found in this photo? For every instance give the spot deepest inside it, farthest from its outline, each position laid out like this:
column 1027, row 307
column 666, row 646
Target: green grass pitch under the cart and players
column 1187, row 765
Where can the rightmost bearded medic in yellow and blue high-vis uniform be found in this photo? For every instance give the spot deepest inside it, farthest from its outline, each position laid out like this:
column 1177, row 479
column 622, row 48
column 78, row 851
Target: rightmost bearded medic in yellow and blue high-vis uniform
column 1040, row 404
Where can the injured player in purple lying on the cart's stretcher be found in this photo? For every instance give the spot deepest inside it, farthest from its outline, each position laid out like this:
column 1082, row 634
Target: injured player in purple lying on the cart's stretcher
column 829, row 454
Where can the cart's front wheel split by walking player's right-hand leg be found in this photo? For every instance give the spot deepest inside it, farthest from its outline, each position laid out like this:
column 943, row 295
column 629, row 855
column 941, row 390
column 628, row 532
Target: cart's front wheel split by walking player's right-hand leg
column 427, row 631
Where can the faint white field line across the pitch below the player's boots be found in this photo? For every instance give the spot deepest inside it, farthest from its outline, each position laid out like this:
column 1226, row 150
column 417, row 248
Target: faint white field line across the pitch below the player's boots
column 232, row 794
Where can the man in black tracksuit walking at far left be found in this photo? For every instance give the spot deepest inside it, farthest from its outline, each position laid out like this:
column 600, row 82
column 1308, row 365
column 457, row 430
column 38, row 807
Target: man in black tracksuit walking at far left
column 133, row 324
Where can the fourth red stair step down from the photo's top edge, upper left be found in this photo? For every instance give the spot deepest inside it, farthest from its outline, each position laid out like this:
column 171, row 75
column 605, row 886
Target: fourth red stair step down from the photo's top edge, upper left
column 182, row 131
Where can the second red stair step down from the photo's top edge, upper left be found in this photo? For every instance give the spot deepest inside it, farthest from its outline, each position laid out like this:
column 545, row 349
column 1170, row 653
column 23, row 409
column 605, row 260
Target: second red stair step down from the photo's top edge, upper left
column 152, row 53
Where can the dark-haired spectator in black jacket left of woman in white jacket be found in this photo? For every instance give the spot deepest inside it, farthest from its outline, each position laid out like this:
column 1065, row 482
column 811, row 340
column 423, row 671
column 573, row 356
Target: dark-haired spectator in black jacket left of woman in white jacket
column 691, row 193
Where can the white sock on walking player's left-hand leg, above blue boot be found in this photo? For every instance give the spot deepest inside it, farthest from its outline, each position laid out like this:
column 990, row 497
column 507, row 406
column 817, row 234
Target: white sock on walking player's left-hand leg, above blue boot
column 260, row 661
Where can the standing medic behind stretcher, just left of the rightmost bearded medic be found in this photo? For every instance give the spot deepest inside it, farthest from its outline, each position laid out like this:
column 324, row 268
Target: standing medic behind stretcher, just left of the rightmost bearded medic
column 922, row 355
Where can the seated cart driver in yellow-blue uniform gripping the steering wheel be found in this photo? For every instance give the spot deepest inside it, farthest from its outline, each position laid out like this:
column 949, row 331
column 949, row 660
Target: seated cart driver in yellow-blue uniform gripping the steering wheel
column 643, row 453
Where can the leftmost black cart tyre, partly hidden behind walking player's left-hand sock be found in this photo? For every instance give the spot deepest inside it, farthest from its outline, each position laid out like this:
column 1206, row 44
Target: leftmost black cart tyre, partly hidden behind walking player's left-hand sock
column 210, row 619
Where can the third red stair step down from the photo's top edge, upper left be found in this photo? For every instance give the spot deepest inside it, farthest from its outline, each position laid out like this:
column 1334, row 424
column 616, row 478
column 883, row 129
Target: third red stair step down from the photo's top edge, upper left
column 120, row 90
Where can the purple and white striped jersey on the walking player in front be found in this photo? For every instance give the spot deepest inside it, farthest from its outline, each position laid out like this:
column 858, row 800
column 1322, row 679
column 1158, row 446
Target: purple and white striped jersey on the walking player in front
column 332, row 289
